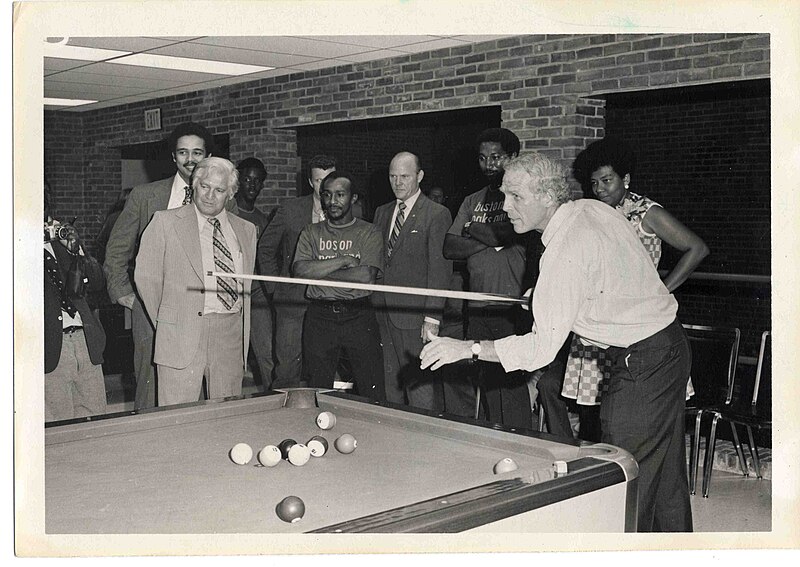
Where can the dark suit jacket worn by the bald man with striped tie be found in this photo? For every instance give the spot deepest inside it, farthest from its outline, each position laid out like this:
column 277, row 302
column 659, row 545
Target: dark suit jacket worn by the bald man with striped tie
column 416, row 261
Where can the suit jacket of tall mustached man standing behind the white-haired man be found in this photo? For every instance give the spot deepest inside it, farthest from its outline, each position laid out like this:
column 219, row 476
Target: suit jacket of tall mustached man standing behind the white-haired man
column 123, row 243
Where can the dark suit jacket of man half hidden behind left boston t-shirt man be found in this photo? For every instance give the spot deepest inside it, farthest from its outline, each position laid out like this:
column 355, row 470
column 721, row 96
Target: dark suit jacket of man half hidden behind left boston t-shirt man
column 276, row 250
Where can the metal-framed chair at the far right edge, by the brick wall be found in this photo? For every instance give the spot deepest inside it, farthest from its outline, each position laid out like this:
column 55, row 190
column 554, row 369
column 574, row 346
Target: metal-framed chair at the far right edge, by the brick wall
column 749, row 409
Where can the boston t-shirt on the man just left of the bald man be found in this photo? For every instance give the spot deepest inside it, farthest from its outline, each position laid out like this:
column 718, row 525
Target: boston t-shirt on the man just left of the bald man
column 323, row 241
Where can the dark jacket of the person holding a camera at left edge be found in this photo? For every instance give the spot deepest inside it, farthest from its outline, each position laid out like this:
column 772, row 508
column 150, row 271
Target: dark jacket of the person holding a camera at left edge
column 53, row 326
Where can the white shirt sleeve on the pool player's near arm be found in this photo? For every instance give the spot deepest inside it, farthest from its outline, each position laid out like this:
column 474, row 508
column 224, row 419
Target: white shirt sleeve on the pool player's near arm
column 559, row 294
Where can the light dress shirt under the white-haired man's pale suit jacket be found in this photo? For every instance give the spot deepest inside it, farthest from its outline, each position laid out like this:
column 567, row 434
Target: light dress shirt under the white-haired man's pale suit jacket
column 206, row 229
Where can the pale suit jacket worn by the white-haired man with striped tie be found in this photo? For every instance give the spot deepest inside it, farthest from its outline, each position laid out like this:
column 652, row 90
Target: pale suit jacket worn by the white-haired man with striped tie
column 169, row 277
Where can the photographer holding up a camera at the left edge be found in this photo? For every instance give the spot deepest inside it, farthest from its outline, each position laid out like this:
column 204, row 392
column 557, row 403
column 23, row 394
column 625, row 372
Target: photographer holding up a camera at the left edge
column 74, row 339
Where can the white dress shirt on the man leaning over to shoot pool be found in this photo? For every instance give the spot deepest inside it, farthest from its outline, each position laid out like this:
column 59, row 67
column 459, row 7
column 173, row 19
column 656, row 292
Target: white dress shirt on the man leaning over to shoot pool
column 597, row 280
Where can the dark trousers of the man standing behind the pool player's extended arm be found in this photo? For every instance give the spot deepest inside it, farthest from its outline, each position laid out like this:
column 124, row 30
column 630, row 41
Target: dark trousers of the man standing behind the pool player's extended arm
column 506, row 398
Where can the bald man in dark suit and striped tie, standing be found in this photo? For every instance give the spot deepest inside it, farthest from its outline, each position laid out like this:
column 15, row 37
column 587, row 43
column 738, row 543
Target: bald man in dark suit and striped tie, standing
column 414, row 228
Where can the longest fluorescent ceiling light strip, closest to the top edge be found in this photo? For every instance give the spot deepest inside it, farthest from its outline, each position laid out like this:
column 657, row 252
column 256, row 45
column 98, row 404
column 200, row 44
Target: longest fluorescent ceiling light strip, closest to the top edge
column 61, row 51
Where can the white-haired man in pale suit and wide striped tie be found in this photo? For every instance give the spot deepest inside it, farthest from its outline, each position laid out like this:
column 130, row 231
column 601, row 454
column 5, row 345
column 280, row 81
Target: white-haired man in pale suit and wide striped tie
column 202, row 322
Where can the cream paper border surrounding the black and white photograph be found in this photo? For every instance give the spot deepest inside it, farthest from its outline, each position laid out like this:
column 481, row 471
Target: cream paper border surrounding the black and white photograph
column 35, row 22
